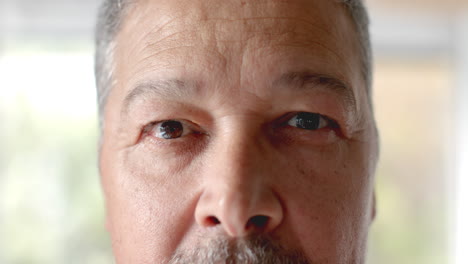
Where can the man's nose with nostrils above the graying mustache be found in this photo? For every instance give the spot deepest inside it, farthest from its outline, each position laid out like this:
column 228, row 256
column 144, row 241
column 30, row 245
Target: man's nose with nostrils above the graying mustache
column 237, row 195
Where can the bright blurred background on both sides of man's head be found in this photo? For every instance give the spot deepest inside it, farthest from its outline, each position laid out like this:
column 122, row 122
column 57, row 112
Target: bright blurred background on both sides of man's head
column 51, row 207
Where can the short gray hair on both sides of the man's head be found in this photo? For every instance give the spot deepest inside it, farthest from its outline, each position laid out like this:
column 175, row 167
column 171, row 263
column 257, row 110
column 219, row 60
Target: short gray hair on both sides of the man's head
column 112, row 12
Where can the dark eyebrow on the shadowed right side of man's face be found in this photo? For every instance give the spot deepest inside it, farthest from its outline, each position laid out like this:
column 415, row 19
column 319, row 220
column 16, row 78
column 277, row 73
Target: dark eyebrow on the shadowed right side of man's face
column 307, row 80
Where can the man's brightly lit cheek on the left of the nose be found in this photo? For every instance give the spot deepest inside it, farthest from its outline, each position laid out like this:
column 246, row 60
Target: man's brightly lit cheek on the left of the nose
column 138, row 193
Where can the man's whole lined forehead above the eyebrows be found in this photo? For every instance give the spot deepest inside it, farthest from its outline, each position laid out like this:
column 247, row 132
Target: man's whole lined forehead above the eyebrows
column 241, row 41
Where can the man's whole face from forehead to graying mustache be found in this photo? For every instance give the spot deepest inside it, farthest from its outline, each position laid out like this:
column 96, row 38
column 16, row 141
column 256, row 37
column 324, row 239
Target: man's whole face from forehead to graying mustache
column 236, row 126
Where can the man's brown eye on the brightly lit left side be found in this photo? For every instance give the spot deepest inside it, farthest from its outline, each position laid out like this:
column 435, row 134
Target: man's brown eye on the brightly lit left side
column 170, row 129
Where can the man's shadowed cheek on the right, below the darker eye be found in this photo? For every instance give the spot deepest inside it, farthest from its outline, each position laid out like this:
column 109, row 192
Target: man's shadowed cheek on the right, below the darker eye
column 330, row 195
